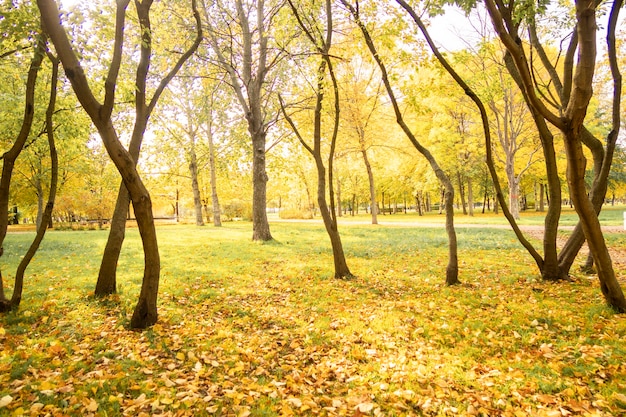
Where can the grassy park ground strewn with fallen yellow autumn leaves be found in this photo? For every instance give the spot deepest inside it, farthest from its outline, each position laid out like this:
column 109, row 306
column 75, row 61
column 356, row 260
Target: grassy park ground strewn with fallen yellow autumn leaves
column 264, row 330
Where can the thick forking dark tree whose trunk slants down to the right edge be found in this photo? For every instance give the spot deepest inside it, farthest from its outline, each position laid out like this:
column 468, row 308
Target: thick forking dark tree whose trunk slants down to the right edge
column 574, row 94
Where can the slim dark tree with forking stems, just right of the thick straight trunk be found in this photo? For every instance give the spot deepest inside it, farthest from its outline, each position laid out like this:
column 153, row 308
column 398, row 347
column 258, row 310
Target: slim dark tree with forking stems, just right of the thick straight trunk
column 321, row 39
